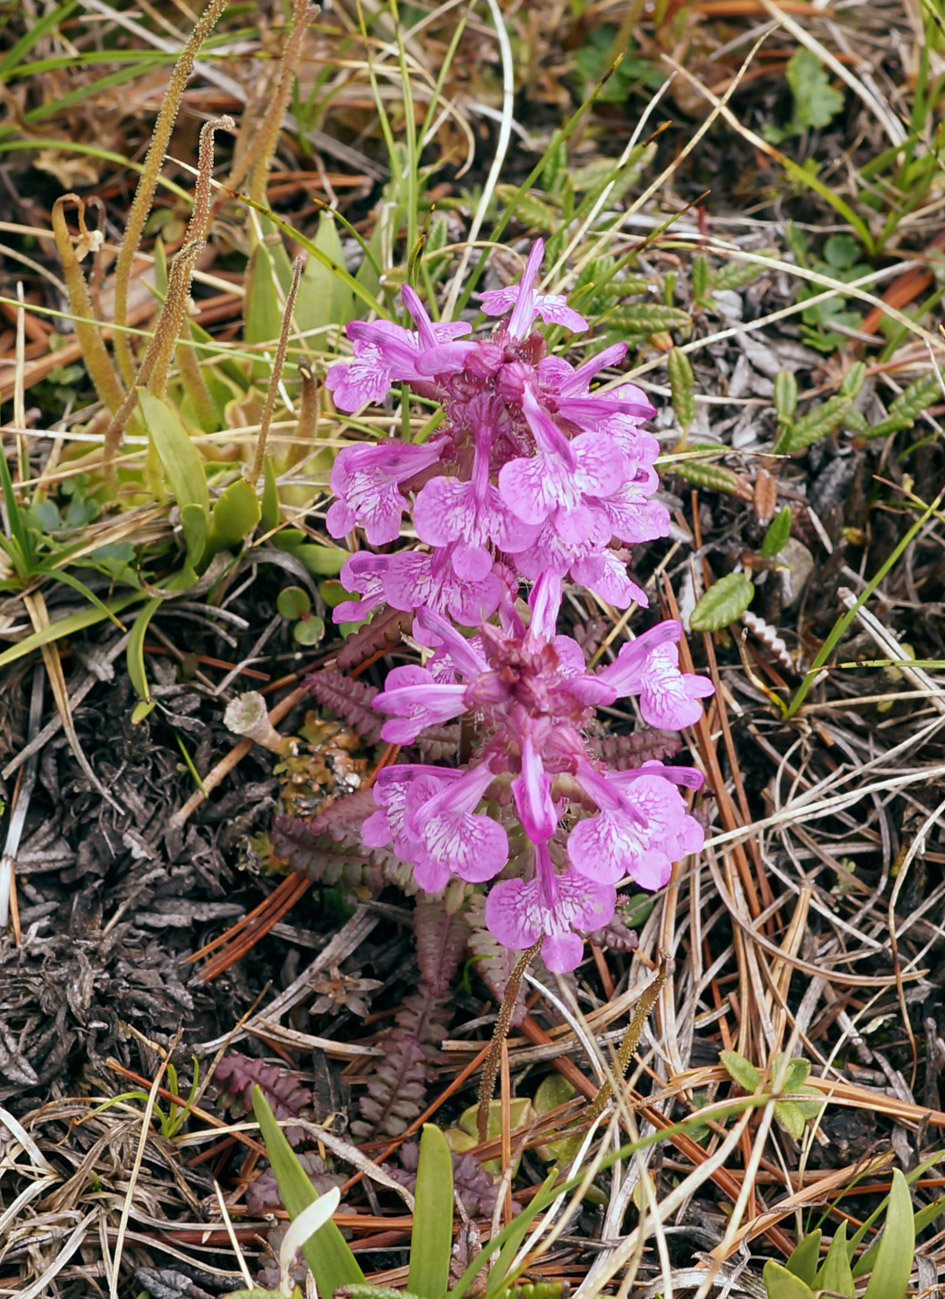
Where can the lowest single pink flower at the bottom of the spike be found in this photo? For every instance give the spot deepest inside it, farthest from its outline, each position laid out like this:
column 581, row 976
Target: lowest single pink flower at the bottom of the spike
column 519, row 913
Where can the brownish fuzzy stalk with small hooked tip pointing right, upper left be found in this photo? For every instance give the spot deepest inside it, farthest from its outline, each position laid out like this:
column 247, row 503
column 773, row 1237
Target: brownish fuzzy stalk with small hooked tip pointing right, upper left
column 154, row 370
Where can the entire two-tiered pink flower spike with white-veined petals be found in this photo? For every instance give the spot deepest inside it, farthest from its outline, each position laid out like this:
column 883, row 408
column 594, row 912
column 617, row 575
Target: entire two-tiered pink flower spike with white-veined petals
column 532, row 476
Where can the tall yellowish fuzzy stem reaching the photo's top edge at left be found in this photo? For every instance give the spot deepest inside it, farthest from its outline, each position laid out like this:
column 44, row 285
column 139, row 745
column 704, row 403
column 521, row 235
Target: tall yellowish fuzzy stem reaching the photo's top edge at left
column 154, row 162
